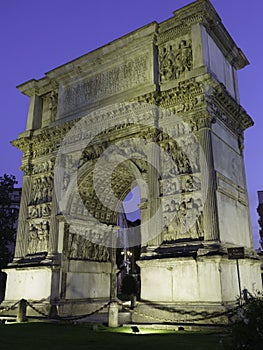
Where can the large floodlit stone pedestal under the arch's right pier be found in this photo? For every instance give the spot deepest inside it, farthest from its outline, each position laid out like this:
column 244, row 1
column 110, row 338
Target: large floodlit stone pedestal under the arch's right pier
column 194, row 285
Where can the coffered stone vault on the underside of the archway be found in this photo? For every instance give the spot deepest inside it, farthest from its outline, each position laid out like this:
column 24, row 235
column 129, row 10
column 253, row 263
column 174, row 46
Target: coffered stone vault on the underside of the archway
column 102, row 209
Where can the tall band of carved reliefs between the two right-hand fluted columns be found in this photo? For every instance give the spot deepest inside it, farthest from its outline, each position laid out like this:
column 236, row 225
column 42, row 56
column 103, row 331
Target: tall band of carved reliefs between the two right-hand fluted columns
column 180, row 184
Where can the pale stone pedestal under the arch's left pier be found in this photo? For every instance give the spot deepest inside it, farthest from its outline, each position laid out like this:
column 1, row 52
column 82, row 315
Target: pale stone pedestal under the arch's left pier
column 84, row 288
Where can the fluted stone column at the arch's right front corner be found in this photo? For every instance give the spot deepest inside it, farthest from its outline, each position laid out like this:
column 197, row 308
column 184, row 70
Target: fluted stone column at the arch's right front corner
column 208, row 179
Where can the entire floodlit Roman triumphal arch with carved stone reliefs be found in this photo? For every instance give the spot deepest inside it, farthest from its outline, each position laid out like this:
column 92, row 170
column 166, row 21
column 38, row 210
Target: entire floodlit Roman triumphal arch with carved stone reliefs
column 158, row 108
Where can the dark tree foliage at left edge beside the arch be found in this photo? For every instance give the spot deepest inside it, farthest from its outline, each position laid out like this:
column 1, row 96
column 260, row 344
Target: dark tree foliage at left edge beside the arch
column 8, row 218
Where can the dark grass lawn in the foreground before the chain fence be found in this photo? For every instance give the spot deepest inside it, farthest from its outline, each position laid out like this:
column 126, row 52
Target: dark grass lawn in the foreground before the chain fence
column 40, row 336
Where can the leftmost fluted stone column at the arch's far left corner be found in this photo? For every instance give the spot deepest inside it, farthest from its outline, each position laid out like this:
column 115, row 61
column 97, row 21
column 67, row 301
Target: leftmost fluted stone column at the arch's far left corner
column 22, row 229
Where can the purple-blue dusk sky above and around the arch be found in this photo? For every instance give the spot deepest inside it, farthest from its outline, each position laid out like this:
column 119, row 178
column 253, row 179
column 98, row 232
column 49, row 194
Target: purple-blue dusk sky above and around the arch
column 37, row 36
